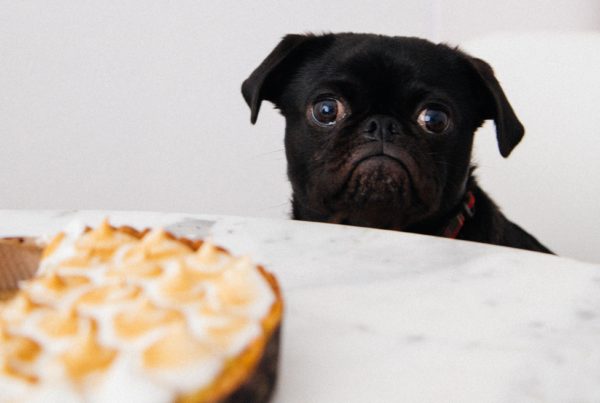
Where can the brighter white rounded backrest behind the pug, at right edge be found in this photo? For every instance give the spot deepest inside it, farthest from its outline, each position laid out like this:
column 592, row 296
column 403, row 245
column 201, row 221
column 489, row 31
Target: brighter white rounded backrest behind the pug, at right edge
column 550, row 184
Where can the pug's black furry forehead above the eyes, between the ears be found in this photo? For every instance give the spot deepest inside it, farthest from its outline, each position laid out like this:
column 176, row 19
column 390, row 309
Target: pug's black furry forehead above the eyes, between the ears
column 388, row 69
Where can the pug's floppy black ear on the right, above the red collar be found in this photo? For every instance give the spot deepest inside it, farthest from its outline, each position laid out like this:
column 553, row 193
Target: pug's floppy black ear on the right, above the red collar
column 509, row 131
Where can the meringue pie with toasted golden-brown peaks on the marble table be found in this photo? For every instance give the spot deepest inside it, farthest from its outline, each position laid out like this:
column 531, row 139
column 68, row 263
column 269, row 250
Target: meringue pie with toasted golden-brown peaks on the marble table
column 120, row 315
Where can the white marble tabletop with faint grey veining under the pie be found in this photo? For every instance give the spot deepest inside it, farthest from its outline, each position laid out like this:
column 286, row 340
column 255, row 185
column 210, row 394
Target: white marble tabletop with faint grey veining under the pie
column 385, row 316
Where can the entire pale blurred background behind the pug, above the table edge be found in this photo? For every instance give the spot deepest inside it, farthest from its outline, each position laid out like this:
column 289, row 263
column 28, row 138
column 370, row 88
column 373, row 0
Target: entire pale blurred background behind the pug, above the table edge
column 136, row 105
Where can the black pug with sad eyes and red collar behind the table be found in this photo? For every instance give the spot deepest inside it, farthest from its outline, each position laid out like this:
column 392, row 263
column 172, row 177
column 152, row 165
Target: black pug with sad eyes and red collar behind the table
column 379, row 132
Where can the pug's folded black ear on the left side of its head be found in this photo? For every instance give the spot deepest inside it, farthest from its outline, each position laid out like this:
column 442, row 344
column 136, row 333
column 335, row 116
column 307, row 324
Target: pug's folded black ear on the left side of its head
column 267, row 81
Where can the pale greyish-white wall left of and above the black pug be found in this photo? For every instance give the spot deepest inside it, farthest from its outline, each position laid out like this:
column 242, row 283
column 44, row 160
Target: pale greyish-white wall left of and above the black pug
column 137, row 105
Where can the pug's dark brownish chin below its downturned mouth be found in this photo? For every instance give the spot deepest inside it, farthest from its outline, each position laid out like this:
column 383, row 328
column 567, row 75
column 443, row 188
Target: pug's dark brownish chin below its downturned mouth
column 378, row 193
